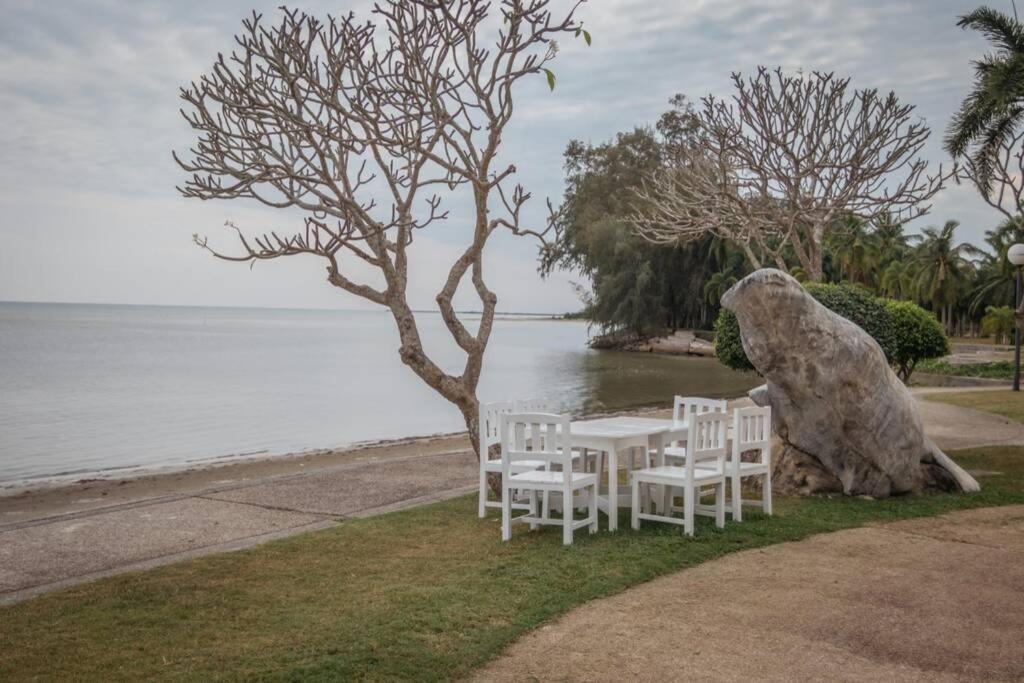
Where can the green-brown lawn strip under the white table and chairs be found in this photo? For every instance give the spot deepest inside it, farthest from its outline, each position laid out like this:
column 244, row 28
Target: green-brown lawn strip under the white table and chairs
column 428, row 593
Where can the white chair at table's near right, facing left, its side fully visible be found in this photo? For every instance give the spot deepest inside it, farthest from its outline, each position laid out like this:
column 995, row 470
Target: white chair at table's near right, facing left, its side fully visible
column 707, row 441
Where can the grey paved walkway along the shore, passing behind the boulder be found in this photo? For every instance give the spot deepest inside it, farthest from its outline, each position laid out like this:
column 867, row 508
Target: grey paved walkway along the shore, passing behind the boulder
column 49, row 541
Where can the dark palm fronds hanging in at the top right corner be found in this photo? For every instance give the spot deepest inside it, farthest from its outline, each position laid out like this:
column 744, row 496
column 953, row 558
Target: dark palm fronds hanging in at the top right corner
column 995, row 108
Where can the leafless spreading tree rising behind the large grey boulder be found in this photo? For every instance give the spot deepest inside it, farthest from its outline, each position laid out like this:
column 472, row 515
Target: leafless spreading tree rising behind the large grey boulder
column 784, row 162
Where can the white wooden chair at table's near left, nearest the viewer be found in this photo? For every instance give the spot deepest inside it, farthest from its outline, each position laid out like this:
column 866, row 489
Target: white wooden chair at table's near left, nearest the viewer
column 527, row 438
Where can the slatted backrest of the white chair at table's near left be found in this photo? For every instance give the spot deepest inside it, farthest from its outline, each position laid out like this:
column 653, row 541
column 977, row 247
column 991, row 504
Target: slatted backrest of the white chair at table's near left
column 540, row 437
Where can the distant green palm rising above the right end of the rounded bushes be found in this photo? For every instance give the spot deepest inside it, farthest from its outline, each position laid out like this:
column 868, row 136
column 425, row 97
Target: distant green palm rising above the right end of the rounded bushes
column 944, row 270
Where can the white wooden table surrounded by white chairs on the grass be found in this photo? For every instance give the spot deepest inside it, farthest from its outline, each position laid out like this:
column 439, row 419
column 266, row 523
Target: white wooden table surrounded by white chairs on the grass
column 615, row 436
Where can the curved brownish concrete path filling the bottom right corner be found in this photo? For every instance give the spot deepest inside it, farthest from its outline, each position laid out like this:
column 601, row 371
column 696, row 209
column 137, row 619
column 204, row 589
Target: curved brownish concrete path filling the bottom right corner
column 935, row 600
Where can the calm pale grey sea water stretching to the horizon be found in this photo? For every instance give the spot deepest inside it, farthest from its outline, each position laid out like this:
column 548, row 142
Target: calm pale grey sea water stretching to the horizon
column 88, row 389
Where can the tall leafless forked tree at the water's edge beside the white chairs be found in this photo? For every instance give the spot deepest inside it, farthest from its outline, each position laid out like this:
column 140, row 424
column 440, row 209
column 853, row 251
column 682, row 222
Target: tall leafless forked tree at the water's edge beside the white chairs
column 358, row 126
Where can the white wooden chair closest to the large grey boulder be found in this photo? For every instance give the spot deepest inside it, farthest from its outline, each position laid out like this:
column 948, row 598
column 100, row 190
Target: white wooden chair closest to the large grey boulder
column 751, row 432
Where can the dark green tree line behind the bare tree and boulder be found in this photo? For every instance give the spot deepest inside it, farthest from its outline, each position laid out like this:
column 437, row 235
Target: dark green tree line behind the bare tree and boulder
column 643, row 288
